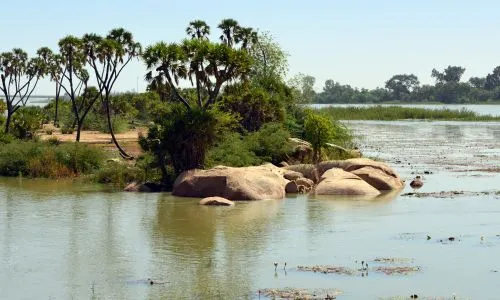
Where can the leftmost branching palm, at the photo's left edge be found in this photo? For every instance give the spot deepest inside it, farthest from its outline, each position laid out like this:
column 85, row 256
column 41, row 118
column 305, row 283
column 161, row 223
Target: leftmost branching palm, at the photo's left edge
column 19, row 77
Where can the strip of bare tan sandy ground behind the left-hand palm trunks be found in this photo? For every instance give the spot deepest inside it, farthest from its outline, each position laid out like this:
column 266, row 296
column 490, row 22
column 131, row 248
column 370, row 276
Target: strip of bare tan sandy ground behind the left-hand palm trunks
column 128, row 140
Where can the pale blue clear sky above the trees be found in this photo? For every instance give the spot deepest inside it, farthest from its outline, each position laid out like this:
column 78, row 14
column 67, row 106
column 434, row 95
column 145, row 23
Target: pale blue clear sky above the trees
column 360, row 43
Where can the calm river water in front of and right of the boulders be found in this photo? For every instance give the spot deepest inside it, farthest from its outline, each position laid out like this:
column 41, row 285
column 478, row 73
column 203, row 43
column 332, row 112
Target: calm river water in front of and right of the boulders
column 62, row 240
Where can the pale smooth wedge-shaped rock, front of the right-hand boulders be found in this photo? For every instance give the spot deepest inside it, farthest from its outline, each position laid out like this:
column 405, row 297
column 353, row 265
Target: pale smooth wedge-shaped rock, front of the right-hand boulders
column 339, row 182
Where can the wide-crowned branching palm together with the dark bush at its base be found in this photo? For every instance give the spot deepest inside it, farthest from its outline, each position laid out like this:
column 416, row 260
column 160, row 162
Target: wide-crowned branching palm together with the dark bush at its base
column 186, row 134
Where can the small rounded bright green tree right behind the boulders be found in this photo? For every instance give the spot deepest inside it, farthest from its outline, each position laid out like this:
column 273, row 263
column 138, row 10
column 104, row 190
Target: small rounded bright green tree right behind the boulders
column 318, row 130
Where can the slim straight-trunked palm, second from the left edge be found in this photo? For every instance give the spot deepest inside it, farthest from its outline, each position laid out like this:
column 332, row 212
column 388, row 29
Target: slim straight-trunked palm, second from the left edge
column 54, row 64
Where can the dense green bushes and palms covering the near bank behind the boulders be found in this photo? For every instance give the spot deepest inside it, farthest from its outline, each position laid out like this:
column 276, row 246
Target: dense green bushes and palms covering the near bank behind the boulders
column 209, row 102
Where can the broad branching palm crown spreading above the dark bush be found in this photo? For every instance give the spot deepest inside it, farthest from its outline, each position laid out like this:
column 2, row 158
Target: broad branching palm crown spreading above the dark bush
column 206, row 65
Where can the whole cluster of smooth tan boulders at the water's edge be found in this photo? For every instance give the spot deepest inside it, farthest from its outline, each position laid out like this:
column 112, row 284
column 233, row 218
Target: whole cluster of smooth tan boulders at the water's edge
column 358, row 176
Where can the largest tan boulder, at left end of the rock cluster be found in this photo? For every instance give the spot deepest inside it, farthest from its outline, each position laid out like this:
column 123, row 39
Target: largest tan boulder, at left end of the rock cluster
column 248, row 183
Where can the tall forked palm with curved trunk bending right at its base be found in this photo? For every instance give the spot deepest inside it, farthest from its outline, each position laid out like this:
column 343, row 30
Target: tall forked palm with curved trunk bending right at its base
column 108, row 57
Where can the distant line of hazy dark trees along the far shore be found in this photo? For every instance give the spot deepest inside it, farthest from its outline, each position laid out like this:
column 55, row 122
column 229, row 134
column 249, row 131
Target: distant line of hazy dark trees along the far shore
column 448, row 88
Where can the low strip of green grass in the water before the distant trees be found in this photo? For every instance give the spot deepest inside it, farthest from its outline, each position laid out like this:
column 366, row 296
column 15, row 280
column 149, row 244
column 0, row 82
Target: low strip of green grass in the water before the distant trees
column 391, row 113
